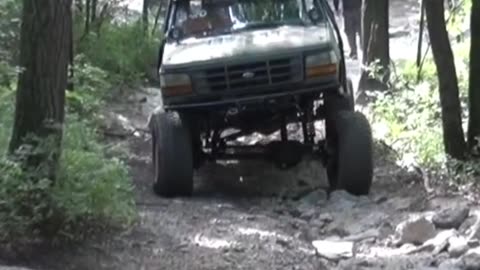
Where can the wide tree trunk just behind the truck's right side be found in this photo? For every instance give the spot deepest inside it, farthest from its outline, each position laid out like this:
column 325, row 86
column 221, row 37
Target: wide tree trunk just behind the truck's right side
column 375, row 44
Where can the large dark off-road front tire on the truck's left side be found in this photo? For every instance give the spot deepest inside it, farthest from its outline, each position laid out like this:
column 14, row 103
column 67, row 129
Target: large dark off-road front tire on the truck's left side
column 172, row 155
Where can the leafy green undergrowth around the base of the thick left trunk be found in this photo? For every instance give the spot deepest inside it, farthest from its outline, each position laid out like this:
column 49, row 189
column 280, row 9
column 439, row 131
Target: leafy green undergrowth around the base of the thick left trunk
column 91, row 190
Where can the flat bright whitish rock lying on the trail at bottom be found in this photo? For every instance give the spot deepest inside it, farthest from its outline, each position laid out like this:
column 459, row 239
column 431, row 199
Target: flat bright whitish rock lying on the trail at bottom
column 334, row 249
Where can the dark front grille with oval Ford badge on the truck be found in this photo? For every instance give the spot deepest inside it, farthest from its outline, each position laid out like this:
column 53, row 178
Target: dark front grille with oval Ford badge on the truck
column 253, row 74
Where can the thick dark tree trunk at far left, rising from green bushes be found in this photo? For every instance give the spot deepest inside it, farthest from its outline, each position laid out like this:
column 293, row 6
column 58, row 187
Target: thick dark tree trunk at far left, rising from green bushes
column 40, row 98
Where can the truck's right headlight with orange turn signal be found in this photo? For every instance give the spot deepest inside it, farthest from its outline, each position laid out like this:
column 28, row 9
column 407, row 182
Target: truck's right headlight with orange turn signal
column 322, row 64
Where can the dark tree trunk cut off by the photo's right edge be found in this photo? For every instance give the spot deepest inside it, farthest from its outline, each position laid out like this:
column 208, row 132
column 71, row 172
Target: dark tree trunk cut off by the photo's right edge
column 474, row 88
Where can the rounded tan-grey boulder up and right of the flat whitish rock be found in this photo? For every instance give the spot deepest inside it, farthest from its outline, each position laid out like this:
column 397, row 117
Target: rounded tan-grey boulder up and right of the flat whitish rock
column 415, row 231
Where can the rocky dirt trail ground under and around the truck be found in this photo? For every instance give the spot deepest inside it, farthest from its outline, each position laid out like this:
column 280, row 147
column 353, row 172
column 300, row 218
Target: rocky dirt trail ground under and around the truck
column 251, row 215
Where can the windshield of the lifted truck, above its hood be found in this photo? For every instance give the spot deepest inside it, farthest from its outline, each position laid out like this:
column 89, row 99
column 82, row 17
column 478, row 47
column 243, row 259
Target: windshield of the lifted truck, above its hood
column 200, row 18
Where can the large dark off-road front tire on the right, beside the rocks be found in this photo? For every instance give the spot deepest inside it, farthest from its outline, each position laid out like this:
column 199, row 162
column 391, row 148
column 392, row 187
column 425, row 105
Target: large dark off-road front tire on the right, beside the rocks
column 350, row 167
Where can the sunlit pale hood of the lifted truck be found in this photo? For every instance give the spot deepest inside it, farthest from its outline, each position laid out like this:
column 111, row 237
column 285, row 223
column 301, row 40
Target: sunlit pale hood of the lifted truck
column 245, row 44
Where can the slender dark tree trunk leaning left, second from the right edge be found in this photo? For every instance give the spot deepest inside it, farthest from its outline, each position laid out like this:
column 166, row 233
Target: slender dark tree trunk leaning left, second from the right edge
column 453, row 136
